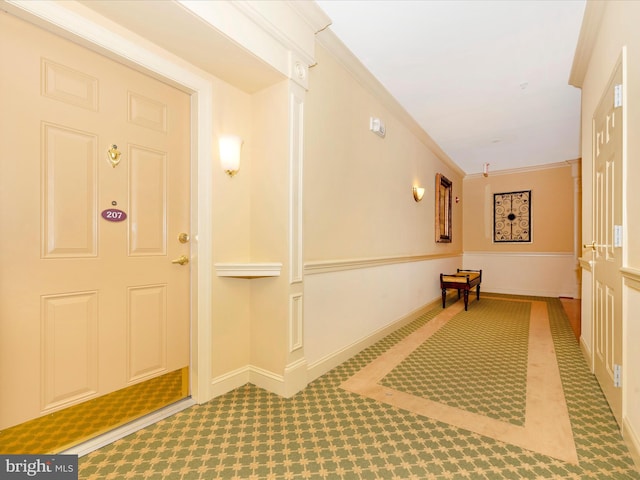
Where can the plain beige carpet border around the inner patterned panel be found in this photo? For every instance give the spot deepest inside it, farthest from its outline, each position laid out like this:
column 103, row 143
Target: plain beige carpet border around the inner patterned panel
column 547, row 428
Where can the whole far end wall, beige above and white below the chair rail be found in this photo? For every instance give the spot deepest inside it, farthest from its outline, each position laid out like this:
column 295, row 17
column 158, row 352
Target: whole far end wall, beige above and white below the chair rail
column 550, row 260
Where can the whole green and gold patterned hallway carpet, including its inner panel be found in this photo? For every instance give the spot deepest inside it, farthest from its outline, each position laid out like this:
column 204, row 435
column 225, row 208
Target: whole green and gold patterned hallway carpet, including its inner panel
column 329, row 432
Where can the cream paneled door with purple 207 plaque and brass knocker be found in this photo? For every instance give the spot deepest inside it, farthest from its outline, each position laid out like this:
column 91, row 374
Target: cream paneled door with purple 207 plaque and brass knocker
column 90, row 301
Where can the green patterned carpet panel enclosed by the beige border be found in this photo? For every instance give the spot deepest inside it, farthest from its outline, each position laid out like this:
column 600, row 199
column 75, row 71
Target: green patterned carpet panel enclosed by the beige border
column 486, row 374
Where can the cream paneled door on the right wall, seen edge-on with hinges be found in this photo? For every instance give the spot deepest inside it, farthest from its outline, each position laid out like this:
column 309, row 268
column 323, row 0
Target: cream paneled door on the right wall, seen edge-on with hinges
column 607, row 251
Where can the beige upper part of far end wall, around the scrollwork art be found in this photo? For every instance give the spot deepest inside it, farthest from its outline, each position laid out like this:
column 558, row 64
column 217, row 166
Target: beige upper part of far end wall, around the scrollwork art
column 552, row 209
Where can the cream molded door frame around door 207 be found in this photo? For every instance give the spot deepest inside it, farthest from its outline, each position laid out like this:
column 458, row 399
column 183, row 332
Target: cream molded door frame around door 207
column 98, row 37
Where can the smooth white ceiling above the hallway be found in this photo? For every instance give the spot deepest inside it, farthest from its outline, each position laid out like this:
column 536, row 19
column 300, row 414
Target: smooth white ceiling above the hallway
column 487, row 80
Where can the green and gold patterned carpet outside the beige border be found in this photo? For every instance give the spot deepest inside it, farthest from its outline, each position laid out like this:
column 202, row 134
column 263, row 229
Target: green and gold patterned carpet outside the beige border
column 327, row 432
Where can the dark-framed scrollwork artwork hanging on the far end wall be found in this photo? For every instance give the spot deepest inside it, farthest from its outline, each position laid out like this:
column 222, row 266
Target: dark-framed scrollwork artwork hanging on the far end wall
column 512, row 217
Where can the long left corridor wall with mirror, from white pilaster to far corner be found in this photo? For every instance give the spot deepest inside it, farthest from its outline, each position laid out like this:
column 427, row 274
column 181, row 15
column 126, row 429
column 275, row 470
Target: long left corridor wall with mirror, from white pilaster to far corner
column 360, row 217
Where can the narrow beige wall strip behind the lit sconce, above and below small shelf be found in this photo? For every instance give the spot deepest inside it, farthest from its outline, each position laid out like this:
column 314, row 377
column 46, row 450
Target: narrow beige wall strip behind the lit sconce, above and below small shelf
column 230, row 214
